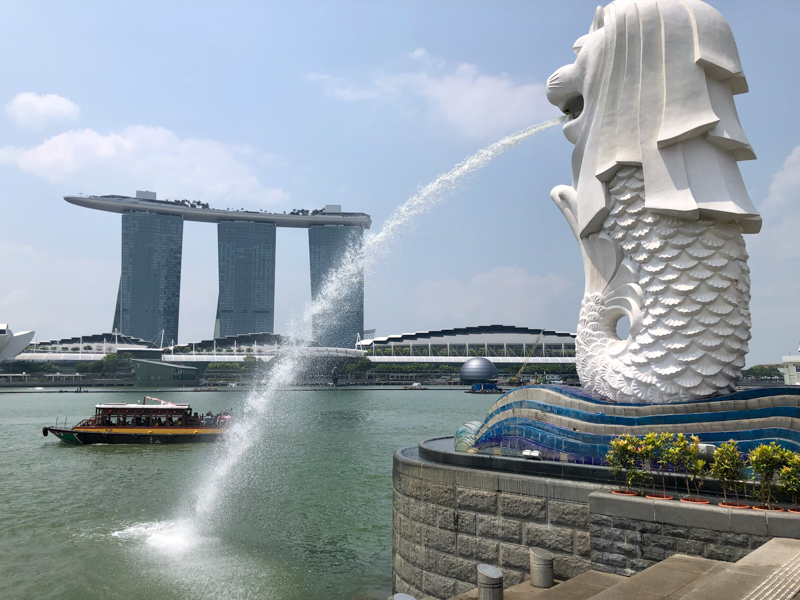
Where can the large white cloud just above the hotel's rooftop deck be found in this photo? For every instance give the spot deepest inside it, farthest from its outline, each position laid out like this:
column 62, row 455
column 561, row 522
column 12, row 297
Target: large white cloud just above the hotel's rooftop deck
column 153, row 158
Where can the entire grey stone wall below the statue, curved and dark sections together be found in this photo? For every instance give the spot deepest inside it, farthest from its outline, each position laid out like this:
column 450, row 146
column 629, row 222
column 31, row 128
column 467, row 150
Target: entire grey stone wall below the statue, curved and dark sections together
column 448, row 519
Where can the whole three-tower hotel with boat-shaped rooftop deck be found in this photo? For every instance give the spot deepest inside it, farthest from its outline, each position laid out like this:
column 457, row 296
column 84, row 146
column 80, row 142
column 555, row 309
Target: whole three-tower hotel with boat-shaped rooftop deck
column 148, row 300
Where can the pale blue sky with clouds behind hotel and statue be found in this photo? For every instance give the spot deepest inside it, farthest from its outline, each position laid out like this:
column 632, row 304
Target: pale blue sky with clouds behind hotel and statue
column 282, row 105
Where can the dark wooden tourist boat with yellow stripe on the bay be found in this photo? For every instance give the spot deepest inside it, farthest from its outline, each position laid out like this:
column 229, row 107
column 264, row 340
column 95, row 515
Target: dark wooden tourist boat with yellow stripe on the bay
column 157, row 423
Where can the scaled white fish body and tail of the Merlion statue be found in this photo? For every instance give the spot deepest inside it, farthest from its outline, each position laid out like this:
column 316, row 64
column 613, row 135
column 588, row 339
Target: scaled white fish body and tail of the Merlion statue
column 684, row 285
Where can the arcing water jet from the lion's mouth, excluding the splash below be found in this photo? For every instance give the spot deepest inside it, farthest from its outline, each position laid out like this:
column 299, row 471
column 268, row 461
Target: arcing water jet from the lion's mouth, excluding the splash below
column 289, row 366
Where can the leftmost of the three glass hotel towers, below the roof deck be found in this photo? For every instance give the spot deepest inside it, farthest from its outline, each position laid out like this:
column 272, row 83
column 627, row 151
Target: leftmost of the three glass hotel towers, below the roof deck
column 148, row 299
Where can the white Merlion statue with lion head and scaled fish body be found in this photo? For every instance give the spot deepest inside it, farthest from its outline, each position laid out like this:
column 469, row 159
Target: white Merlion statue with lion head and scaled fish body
column 658, row 204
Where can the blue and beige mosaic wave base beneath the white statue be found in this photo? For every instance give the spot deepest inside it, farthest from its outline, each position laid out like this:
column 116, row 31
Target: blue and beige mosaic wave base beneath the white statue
column 565, row 424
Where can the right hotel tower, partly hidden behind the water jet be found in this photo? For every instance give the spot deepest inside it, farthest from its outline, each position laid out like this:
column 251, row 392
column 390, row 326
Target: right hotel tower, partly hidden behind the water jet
column 341, row 325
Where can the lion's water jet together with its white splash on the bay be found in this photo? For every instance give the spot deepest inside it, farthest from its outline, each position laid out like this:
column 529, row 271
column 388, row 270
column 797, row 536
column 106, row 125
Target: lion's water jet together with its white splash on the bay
column 229, row 471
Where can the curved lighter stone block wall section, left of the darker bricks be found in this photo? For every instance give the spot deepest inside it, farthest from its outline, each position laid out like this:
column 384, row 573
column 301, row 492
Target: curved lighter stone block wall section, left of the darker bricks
column 447, row 520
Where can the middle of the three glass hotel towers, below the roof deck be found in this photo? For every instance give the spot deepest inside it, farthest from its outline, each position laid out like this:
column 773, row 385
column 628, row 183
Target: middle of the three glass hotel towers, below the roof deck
column 246, row 302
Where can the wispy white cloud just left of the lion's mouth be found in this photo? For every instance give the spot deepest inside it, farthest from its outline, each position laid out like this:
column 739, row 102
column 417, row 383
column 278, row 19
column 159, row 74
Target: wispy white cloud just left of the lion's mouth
column 477, row 105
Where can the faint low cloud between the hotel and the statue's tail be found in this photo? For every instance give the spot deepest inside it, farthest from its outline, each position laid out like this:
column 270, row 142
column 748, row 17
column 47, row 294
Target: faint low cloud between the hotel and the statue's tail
column 504, row 295
